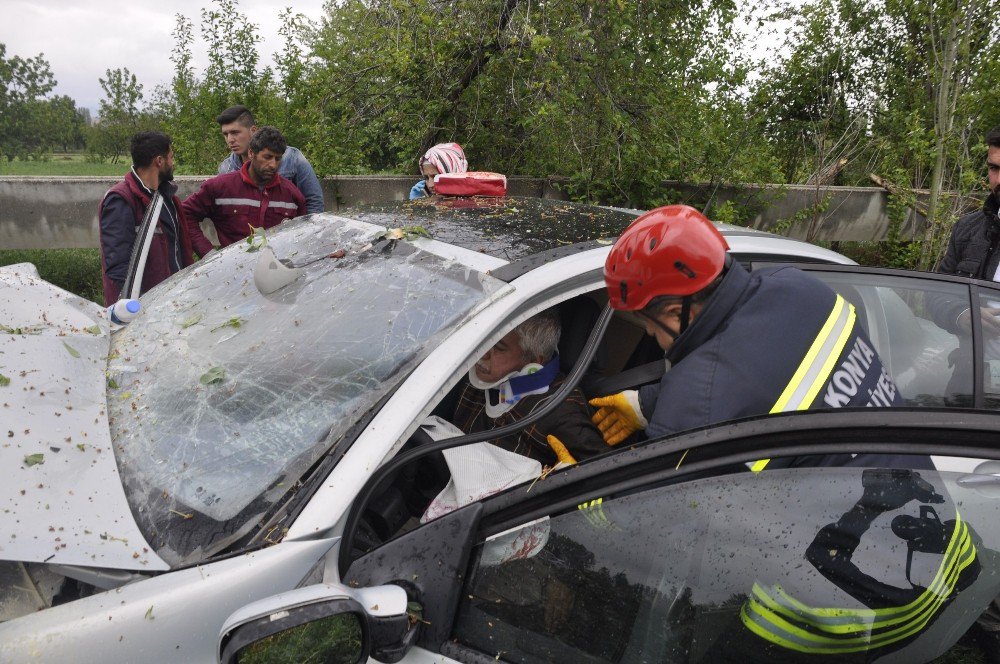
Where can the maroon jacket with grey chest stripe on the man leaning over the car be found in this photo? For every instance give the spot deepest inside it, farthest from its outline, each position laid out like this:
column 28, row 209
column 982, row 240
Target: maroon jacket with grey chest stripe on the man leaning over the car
column 234, row 203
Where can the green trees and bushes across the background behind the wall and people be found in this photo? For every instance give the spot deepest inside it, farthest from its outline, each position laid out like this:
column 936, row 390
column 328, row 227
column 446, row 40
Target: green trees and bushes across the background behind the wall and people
column 609, row 98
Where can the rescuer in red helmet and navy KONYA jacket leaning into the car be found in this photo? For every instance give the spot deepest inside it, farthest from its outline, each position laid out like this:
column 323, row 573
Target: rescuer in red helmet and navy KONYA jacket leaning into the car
column 737, row 344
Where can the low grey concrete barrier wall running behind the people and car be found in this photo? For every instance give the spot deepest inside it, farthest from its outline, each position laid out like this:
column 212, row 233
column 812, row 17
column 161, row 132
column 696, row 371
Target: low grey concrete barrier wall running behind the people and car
column 61, row 212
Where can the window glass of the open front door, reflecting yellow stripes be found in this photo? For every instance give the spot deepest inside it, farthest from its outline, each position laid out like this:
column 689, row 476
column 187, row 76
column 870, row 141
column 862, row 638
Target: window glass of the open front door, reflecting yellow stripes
column 861, row 562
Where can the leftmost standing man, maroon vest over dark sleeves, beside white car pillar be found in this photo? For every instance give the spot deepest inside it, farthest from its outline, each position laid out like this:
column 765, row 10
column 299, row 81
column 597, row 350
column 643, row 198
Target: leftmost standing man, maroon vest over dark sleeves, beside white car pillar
column 123, row 207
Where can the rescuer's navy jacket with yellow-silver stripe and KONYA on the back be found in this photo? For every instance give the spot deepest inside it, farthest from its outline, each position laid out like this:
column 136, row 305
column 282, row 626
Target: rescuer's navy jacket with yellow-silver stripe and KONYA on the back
column 772, row 341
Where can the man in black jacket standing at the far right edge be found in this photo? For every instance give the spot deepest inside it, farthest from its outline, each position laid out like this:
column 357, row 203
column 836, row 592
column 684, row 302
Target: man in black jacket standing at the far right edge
column 972, row 249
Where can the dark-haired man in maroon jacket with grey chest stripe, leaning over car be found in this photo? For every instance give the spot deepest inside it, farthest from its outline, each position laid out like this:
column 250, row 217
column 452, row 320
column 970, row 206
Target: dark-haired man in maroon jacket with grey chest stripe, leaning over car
column 254, row 196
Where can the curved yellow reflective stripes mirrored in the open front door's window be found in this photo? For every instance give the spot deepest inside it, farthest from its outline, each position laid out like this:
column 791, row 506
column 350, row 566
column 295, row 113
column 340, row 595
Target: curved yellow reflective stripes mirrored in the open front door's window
column 780, row 619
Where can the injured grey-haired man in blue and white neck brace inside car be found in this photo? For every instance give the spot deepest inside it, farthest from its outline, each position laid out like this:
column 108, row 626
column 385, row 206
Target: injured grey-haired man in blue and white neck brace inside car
column 517, row 374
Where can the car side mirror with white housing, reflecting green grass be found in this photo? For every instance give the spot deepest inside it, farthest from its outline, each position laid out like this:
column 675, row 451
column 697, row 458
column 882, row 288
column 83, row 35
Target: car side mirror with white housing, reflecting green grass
column 324, row 623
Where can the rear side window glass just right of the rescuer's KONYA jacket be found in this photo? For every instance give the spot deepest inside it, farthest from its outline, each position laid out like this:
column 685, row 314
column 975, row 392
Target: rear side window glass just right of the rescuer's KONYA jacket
column 911, row 322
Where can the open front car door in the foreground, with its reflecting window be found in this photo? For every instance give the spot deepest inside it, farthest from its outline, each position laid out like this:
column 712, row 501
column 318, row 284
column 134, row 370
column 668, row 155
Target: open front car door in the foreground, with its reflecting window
column 671, row 551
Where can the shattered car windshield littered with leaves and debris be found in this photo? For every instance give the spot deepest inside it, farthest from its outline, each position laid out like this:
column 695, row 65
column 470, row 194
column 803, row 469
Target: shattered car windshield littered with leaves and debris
column 221, row 397
